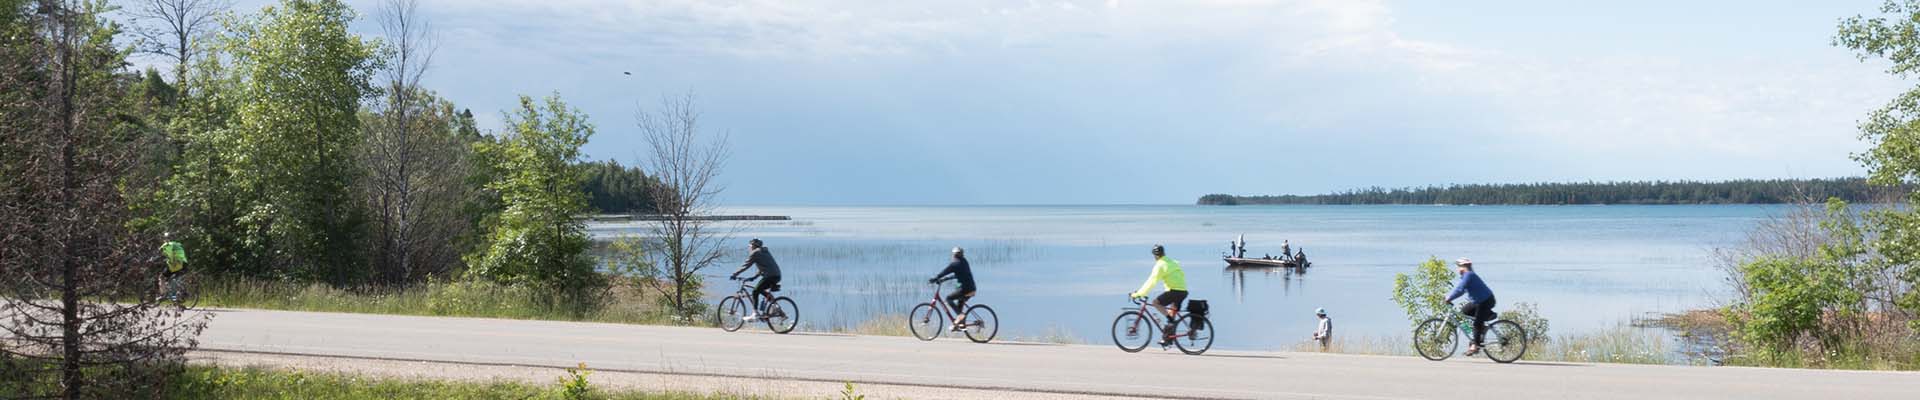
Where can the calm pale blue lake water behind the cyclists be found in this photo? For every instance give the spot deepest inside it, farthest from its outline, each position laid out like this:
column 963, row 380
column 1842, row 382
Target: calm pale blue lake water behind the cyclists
column 1068, row 268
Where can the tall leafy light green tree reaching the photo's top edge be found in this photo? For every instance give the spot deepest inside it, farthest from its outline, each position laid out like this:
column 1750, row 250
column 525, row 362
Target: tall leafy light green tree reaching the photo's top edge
column 299, row 78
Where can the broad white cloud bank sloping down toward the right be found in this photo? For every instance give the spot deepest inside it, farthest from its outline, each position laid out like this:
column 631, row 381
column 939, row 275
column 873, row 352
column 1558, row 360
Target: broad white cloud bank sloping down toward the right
column 1322, row 66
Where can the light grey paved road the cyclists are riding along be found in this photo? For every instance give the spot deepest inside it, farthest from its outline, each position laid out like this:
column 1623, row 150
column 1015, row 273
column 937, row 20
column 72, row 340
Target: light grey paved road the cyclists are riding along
column 1007, row 366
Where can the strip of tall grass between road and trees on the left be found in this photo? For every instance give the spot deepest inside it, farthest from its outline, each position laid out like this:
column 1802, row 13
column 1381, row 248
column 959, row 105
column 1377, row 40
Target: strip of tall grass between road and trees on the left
column 448, row 299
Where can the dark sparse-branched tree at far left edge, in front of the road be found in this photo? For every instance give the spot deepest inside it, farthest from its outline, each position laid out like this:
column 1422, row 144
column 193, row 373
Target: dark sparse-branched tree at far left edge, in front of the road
column 74, row 316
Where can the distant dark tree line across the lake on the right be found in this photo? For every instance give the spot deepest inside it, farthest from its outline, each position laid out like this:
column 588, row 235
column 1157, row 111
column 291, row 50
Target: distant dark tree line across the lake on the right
column 1744, row 191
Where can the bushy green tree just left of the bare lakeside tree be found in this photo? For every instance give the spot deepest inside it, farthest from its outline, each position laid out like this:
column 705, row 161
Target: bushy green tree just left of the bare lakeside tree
column 535, row 237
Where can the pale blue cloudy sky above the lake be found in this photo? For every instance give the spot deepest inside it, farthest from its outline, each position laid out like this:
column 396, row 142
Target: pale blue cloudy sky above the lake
column 1161, row 103
